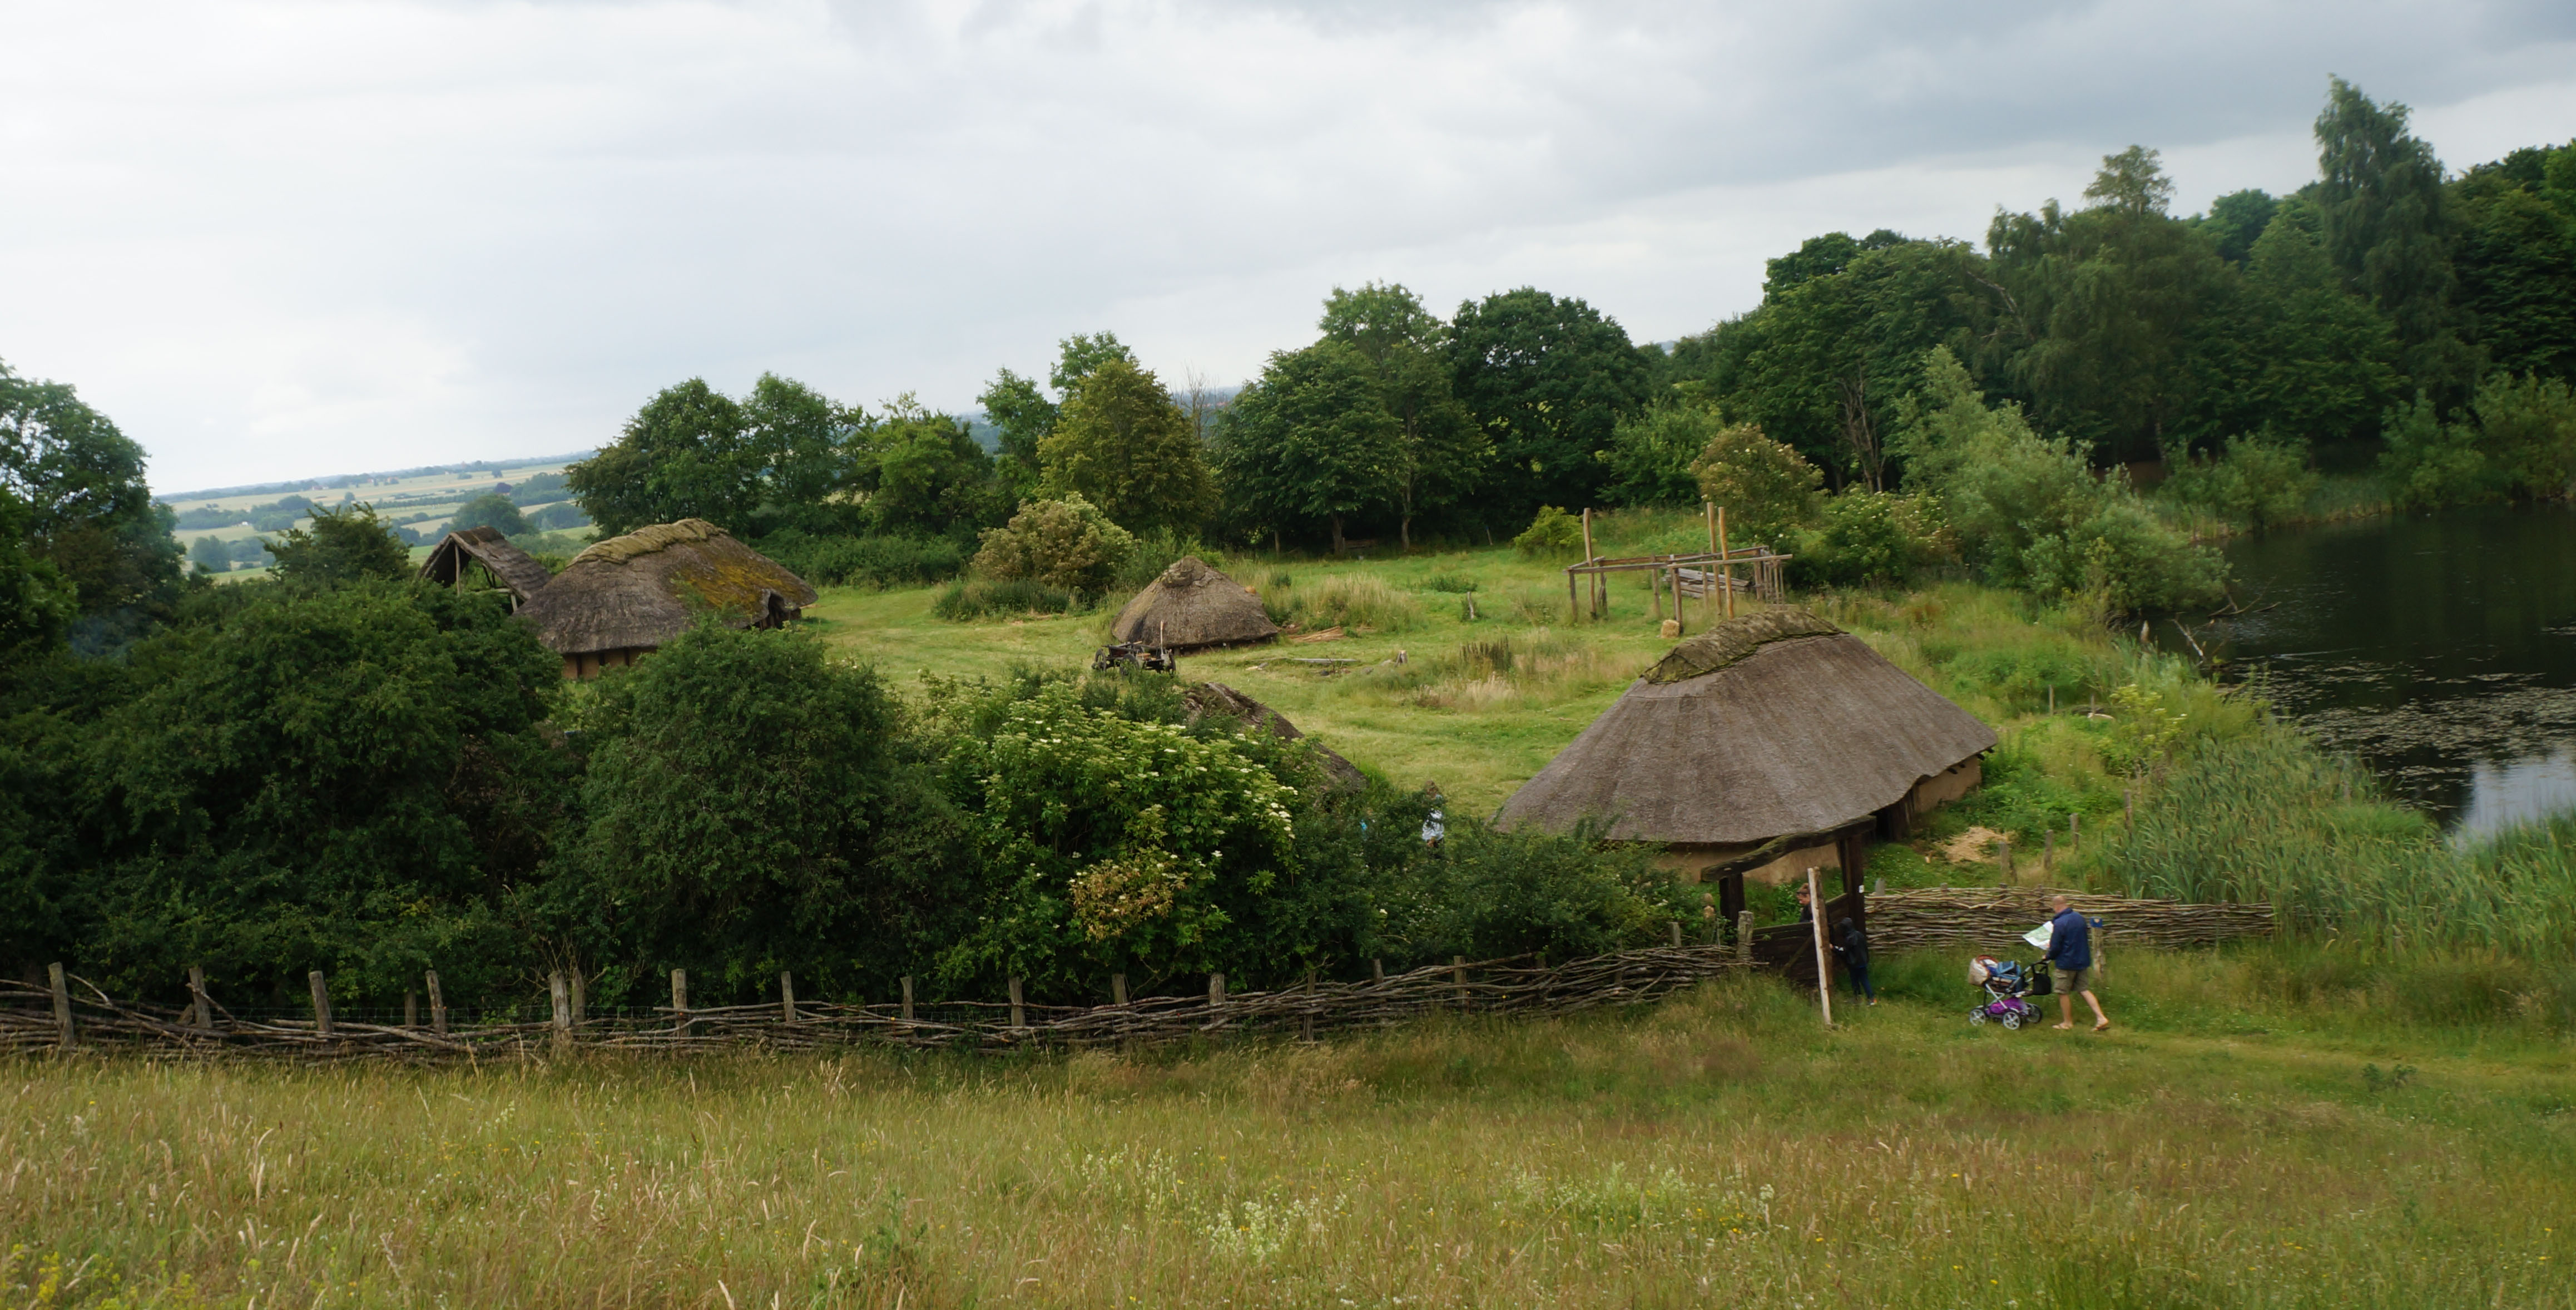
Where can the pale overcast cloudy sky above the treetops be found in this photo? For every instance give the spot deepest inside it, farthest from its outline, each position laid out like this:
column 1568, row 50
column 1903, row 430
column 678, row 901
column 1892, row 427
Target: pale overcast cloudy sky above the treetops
column 305, row 239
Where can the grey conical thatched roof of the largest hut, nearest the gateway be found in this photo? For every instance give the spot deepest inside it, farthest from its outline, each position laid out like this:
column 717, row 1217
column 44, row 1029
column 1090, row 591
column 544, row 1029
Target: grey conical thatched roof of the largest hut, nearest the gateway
column 1766, row 726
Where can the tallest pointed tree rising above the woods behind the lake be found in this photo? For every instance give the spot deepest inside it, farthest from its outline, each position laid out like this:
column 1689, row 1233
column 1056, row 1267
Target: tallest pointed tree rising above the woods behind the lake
column 2387, row 228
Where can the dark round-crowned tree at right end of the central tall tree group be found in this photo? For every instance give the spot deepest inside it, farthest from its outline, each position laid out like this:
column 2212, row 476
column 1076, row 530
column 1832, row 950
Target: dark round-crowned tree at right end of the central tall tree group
column 1547, row 380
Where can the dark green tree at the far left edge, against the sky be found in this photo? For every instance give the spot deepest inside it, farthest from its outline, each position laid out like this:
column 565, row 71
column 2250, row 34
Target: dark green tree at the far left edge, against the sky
column 89, row 509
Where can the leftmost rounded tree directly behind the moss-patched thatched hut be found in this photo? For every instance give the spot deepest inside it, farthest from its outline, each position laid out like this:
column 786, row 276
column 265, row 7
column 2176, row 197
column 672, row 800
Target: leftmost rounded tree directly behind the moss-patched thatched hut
column 684, row 455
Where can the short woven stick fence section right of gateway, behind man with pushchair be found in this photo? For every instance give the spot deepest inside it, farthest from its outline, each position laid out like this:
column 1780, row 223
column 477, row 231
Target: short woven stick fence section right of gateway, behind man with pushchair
column 1995, row 919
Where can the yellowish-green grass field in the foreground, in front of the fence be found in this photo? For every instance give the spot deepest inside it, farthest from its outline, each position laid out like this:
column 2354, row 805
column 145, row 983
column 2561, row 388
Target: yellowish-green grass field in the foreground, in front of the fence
column 2217, row 1149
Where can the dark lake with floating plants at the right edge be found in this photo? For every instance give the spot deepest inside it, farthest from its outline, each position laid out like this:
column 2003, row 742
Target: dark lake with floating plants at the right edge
column 2438, row 649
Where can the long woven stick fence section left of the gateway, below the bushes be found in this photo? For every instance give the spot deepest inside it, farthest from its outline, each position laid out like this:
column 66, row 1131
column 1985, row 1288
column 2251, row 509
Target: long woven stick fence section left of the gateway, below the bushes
column 81, row 1015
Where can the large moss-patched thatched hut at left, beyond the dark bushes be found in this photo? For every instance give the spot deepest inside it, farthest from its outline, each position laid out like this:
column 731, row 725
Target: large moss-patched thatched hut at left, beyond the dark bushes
column 630, row 594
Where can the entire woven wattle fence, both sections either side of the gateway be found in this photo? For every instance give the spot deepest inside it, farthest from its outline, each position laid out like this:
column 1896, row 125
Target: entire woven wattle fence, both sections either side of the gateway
column 73, row 1015
